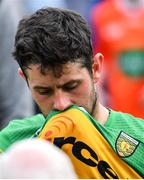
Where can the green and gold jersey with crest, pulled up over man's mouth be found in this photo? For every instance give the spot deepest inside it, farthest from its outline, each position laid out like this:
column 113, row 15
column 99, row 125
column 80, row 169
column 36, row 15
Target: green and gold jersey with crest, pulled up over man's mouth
column 114, row 150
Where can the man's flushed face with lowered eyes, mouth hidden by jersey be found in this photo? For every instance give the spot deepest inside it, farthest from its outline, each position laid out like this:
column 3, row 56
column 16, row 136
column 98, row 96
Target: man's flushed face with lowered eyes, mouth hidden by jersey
column 74, row 87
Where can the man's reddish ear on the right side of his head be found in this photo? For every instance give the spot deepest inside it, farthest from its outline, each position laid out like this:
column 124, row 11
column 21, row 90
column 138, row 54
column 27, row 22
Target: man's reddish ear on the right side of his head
column 97, row 66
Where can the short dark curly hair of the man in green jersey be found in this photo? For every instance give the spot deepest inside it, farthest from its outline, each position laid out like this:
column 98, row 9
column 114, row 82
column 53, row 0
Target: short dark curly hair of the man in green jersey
column 52, row 37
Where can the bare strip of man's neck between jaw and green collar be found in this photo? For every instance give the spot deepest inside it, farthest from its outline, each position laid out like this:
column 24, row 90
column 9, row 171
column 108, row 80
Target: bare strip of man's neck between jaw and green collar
column 101, row 113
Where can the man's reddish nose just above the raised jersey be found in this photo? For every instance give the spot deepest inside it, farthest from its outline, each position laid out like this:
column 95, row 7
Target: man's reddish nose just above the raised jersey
column 61, row 101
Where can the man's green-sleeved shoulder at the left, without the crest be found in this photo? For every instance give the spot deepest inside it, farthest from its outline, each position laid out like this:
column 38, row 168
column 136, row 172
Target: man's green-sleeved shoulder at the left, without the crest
column 20, row 129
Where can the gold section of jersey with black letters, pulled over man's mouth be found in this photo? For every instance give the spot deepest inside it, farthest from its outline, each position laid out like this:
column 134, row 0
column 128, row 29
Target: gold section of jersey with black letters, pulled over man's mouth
column 91, row 154
